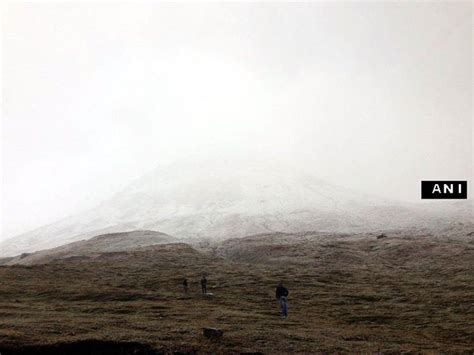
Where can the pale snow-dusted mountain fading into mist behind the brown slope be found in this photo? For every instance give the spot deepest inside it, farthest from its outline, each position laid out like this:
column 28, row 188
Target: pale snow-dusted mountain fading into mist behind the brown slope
column 223, row 199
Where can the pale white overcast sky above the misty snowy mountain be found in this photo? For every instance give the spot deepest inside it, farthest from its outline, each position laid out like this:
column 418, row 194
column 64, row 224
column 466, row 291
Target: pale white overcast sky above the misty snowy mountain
column 374, row 97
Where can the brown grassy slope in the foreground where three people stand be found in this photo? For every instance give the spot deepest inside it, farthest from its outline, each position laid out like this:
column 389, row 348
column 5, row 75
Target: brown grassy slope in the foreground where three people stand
column 389, row 292
